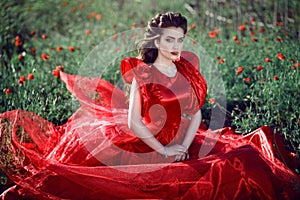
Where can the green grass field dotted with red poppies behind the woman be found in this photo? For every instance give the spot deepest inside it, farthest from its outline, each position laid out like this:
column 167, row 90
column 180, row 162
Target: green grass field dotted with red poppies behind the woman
column 259, row 66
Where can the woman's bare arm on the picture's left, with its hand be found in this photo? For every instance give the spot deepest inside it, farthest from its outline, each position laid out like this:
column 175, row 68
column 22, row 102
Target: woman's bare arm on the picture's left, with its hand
column 136, row 124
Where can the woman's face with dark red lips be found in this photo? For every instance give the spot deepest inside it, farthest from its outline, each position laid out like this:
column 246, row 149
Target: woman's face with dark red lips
column 170, row 43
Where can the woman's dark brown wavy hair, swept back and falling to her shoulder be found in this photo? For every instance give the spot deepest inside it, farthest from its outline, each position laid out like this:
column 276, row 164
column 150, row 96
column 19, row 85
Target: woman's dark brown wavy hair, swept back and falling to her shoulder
column 147, row 50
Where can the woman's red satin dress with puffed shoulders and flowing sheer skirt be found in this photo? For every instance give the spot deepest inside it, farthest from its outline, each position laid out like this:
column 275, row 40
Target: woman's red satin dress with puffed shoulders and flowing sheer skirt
column 96, row 156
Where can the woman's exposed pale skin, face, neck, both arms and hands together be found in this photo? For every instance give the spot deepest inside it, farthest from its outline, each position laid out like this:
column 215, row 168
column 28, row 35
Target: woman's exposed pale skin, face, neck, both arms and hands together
column 169, row 47
